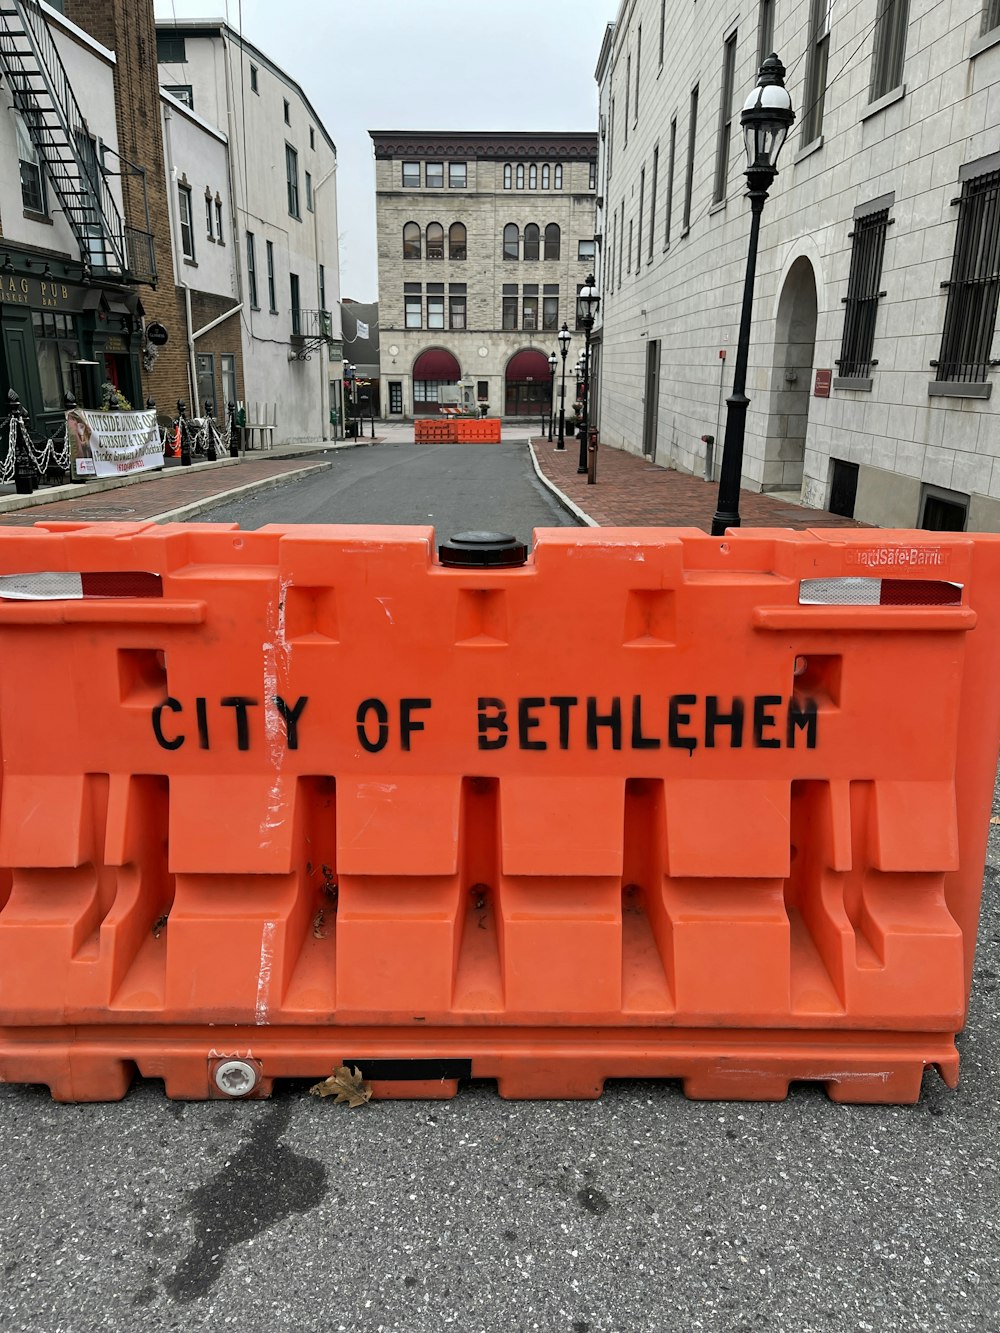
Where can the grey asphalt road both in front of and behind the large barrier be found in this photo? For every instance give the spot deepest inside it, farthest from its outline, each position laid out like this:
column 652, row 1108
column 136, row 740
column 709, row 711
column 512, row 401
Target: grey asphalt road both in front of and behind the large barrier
column 638, row 1214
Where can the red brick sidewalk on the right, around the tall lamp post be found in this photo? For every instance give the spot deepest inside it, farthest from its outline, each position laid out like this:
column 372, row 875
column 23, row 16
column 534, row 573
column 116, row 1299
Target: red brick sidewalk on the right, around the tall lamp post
column 631, row 493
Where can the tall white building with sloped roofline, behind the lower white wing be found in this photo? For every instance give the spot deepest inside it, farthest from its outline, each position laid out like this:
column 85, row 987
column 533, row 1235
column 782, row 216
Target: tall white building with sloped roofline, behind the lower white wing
column 282, row 181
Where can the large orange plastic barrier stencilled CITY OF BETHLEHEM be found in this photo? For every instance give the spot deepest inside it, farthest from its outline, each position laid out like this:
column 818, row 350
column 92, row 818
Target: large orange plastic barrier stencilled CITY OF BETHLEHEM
column 653, row 804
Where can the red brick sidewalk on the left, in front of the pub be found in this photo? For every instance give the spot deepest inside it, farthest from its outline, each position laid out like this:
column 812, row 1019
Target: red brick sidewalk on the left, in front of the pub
column 169, row 491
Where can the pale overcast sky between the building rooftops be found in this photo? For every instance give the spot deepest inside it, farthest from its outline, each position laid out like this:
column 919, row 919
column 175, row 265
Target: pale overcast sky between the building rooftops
column 421, row 65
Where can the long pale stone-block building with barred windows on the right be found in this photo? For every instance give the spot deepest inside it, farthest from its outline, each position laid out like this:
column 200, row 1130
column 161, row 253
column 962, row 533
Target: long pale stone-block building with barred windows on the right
column 874, row 342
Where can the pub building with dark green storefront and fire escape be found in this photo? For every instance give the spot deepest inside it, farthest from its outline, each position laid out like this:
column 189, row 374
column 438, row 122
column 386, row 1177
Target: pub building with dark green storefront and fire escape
column 78, row 257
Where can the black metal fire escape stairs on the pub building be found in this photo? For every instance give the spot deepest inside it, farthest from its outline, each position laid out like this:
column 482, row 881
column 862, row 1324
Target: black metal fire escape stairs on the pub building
column 45, row 98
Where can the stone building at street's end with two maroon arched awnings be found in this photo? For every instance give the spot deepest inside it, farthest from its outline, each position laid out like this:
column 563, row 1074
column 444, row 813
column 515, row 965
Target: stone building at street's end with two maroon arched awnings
column 485, row 241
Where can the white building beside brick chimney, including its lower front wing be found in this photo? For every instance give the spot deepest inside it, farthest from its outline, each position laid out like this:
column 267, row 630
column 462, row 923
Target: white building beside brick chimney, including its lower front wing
column 278, row 213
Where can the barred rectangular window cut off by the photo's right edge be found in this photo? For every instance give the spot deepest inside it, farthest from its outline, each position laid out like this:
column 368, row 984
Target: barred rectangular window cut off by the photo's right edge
column 970, row 318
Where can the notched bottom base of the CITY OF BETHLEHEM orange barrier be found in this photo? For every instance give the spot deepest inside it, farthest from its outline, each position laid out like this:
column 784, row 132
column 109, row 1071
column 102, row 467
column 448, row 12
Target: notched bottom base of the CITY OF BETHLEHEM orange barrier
column 99, row 1064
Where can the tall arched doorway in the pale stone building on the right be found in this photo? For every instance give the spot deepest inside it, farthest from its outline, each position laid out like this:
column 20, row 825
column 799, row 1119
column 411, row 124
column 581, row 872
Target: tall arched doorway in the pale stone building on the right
column 791, row 381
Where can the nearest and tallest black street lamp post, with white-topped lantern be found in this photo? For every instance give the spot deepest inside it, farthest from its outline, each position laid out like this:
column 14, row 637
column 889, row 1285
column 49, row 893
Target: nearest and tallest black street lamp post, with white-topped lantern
column 767, row 118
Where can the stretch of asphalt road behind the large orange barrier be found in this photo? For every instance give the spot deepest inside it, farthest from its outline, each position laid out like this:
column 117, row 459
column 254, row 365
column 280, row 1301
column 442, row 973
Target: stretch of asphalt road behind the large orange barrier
column 454, row 487
